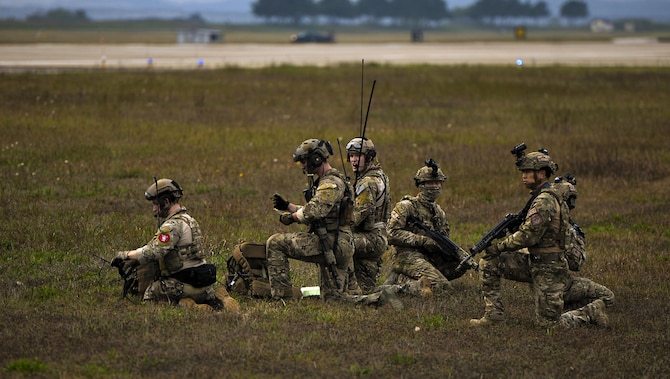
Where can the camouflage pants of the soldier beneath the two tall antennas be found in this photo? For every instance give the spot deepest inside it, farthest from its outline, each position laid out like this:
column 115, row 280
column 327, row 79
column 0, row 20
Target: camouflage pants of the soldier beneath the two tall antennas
column 368, row 250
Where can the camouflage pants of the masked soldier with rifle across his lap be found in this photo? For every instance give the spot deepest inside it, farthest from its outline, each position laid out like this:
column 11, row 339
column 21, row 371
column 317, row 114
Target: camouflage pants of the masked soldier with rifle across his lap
column 413, row 265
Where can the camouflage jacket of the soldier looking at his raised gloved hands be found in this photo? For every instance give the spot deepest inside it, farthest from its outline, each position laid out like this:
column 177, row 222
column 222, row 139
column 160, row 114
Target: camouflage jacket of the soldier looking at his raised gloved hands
column 327, row 205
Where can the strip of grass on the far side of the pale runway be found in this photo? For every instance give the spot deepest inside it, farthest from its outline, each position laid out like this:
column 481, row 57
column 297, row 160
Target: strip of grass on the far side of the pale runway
column 165, row 32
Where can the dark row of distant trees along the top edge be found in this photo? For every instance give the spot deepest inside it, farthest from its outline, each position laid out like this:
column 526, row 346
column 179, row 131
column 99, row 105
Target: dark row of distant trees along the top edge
column 407, row 12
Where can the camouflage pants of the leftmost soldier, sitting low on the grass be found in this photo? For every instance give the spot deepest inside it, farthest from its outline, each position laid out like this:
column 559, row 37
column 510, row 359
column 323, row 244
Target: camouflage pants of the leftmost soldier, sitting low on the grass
column 172, row 290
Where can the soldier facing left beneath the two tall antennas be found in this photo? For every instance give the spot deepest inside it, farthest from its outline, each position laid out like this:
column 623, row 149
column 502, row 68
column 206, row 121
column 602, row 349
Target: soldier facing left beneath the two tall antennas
column 372, row 208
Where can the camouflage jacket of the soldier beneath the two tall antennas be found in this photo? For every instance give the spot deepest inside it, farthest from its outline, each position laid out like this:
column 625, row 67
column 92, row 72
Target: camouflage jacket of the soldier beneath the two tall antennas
column 372, row 204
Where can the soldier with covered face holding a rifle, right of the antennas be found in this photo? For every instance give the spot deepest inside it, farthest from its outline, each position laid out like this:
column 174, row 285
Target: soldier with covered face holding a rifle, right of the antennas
column 418, row 259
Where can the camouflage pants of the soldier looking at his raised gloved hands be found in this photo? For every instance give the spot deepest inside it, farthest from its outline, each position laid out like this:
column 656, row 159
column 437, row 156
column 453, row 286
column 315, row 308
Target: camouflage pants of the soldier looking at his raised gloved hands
column 306, row 247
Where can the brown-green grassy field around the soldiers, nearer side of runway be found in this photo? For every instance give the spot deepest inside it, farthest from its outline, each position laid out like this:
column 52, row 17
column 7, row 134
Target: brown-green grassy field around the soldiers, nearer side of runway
column 80, row 148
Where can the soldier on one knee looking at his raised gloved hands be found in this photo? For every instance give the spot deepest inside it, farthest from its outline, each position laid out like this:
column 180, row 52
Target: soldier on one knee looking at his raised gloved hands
column 329, row 241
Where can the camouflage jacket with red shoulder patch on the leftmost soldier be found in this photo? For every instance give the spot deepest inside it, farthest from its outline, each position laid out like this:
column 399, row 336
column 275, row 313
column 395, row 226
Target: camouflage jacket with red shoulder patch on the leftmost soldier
column 178, row 240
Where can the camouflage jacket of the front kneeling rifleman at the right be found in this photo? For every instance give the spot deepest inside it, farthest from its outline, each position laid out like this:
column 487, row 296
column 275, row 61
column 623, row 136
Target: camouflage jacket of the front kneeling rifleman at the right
column 543, row 230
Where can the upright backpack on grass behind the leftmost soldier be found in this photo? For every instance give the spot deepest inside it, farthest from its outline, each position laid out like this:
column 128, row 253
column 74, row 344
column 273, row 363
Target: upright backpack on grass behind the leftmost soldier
column 247, row 270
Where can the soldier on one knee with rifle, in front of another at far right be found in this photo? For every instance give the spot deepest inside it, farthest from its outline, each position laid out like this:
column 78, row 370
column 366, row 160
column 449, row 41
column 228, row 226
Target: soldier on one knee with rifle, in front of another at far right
column 543, row 233
